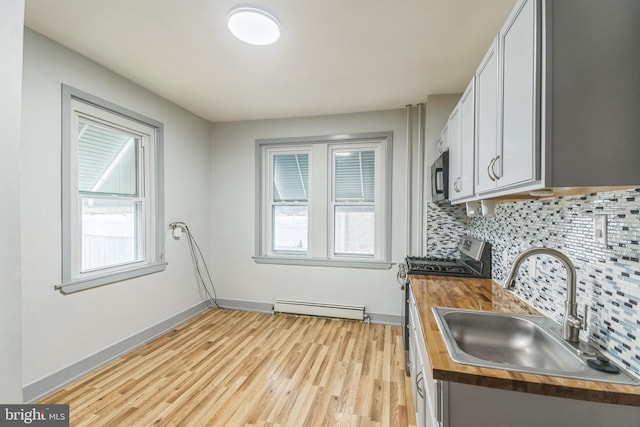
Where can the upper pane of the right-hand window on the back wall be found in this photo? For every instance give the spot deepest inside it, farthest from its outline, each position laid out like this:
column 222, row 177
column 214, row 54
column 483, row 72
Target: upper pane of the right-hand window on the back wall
column 355, row 175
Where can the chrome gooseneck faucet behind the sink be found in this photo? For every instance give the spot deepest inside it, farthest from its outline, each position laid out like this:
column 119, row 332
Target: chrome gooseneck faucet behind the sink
column 571, row 323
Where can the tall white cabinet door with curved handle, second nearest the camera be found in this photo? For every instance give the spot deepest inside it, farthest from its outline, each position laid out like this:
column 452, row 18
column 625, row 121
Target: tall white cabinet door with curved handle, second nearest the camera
column 488, row 154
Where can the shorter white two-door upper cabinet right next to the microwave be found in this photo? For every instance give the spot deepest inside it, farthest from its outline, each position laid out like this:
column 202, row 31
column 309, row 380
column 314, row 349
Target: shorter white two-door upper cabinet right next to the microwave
column 461, row 136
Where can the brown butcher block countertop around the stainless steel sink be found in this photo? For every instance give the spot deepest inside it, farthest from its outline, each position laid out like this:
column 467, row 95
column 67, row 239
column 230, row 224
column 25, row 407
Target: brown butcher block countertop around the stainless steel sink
column 484, row 294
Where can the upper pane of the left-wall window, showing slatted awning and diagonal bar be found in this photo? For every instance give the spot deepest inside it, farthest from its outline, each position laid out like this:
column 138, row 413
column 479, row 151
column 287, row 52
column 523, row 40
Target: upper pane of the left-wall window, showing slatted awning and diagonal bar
column 107, row 159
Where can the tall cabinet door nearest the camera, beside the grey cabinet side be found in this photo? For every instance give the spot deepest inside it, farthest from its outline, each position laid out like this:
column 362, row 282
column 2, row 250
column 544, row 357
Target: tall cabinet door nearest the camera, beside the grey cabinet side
column 520, row 134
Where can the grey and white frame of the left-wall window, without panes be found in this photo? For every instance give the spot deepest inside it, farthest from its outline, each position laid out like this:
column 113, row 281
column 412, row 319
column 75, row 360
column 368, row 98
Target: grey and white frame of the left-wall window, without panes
column 77, row 104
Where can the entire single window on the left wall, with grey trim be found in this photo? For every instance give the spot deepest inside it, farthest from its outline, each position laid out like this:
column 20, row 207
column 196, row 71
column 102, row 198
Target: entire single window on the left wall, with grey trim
column 112, row 209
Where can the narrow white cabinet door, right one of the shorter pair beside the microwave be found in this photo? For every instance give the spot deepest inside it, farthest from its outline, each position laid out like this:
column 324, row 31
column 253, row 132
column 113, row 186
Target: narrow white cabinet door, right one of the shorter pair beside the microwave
column 467, row 140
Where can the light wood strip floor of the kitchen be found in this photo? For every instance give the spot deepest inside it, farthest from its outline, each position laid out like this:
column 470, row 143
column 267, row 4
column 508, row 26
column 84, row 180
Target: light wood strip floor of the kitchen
column 236, row 368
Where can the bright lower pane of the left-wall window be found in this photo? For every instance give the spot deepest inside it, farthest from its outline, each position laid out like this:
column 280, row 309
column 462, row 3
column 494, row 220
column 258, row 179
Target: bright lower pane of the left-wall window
column 111, row 233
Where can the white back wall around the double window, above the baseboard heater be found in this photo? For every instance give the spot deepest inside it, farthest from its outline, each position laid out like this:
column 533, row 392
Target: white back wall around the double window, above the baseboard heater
column 237, row 276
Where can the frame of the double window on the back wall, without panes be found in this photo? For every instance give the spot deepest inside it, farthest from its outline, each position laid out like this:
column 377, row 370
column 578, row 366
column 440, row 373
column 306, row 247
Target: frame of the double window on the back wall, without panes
column 321, row 195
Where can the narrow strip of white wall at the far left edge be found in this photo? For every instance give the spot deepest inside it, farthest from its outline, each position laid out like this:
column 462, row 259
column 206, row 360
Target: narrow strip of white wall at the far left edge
column 11, row 25
